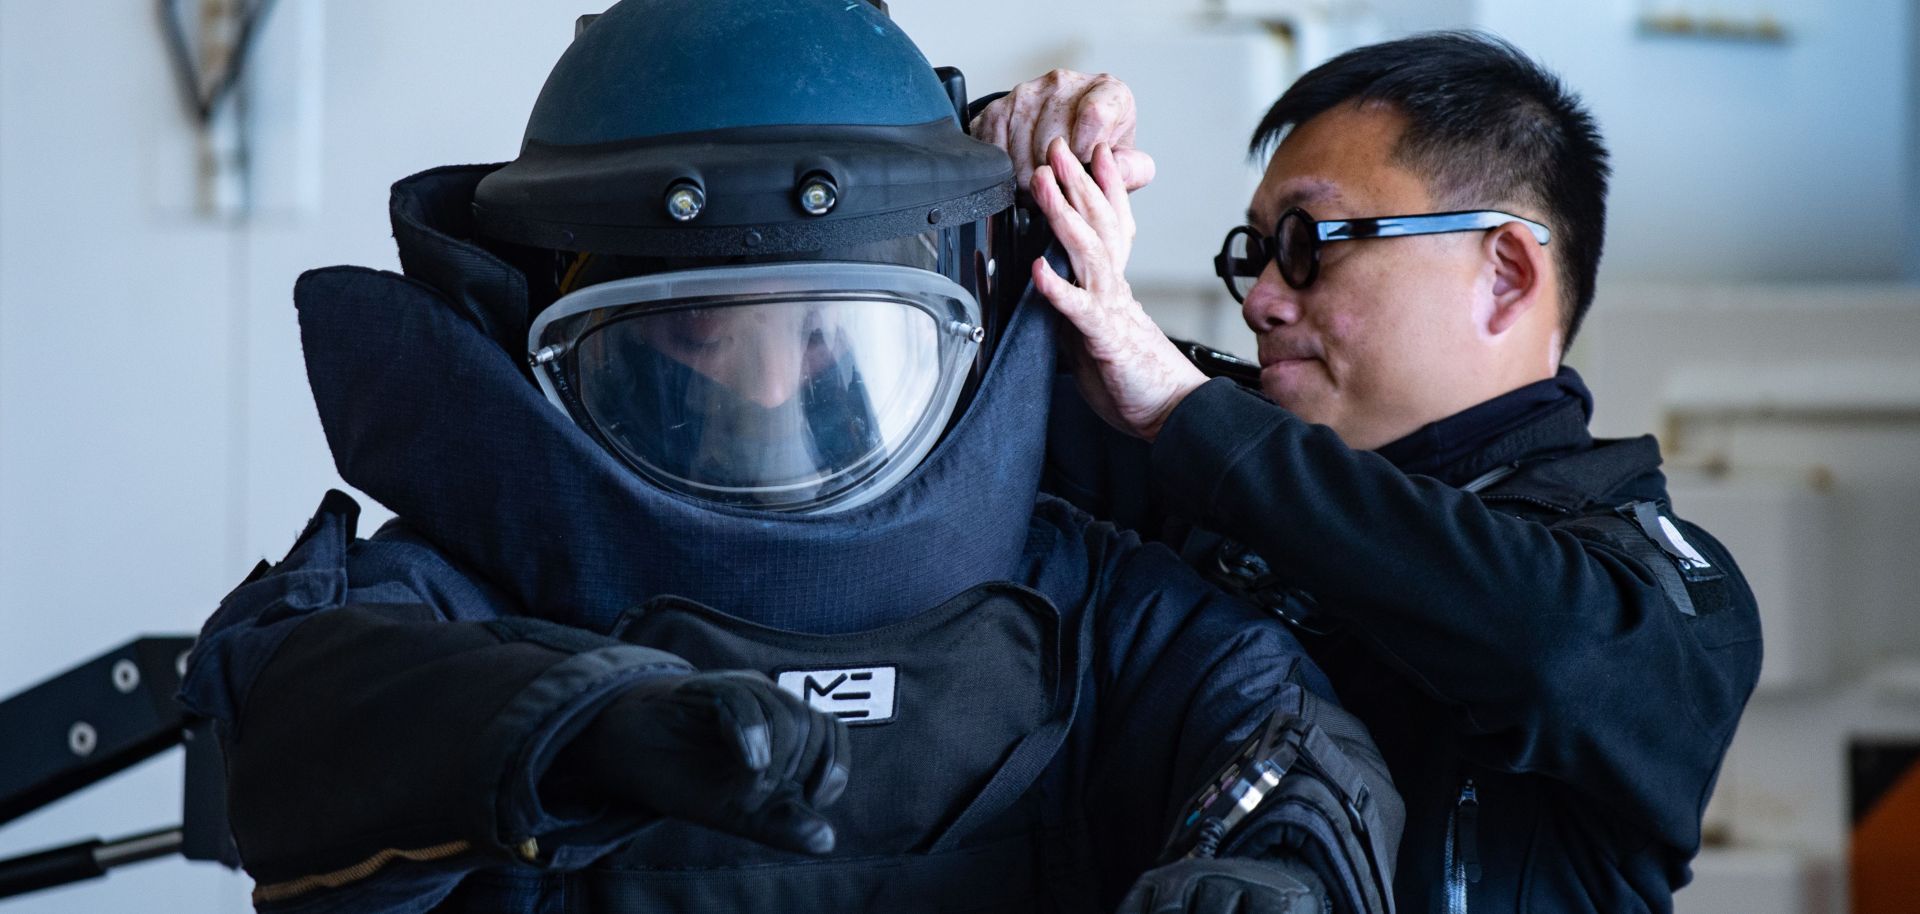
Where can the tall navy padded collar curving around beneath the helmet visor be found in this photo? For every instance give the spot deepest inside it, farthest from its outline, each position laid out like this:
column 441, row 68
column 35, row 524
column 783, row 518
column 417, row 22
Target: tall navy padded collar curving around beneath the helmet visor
column 429, row 412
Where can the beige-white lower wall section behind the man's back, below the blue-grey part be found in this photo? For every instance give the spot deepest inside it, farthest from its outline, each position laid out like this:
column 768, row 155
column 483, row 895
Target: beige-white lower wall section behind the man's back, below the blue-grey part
column 1821, row 425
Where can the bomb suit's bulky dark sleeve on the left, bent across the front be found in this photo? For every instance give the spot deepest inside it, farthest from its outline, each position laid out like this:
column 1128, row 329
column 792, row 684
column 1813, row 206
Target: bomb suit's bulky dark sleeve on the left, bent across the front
column 387, row 733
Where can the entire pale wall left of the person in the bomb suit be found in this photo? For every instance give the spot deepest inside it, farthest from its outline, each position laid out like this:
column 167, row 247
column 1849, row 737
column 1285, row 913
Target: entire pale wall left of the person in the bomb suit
column 156, row 435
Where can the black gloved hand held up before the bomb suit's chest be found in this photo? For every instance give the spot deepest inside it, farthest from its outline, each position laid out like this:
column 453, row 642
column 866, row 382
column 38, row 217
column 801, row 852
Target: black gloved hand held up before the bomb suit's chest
column 723, row 750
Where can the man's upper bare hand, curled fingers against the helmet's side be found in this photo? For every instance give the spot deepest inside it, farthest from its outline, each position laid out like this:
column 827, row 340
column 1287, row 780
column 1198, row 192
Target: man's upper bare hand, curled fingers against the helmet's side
column 1084, row 110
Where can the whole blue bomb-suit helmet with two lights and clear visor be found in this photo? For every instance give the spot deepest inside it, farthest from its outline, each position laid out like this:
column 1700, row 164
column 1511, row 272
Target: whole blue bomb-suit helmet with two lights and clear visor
column 773, row 245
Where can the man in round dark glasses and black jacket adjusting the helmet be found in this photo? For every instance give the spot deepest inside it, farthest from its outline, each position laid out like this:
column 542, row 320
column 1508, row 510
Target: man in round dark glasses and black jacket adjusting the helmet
column 1550, row 660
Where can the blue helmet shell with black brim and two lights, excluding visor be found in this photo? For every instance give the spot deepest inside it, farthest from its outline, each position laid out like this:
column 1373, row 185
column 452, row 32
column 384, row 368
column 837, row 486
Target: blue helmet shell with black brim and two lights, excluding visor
column 746, row 101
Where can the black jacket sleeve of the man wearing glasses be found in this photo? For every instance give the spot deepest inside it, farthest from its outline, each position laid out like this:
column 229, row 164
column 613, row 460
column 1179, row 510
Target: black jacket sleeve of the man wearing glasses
column 1556, row 654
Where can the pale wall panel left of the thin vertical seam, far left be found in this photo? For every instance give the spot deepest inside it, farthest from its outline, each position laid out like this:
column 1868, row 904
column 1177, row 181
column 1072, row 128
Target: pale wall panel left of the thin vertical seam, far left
column 116, row 339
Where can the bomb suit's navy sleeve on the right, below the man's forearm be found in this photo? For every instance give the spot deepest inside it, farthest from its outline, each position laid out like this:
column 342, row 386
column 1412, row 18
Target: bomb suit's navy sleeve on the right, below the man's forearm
column 1186, row 677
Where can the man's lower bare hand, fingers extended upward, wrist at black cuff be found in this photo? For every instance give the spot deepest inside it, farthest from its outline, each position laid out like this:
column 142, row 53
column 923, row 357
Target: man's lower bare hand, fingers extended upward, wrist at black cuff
column 1126, row 368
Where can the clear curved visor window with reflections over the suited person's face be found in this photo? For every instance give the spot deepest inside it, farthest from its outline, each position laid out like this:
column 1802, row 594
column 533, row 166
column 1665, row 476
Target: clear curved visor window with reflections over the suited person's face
column 761, row 402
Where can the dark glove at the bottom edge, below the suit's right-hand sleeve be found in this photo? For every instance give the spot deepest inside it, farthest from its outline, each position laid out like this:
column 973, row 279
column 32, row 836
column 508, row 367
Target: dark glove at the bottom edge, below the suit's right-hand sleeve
column 1228, row 886
